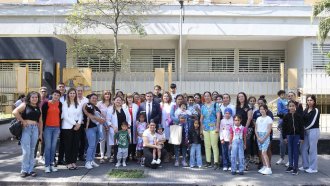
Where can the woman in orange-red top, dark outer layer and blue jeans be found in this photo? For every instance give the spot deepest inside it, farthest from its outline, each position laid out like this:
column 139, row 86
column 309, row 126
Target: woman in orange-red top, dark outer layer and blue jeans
column 51, row 114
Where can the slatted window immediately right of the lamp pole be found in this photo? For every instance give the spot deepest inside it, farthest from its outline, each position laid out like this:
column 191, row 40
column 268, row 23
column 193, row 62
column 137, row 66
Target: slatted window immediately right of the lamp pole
column 209, row 60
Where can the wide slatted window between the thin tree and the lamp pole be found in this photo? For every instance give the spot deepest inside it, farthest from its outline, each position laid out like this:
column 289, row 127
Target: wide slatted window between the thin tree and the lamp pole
column 146, row 60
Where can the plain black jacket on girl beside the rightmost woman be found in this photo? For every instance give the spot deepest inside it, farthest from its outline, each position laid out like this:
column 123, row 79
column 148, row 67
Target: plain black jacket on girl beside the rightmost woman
column 293, row 125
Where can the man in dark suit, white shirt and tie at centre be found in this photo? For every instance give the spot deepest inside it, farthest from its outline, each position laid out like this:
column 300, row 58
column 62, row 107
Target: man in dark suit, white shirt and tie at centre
column 151, row 108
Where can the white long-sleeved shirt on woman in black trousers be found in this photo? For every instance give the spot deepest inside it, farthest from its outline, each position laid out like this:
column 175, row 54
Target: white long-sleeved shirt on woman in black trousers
column 70, row 115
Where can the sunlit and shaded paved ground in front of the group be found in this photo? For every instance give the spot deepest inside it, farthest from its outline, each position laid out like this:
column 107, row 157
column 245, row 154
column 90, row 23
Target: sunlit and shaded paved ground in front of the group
column 10, row 156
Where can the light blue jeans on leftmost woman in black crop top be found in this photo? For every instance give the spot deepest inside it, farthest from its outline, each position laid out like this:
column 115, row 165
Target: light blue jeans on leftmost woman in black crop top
column 28, row 143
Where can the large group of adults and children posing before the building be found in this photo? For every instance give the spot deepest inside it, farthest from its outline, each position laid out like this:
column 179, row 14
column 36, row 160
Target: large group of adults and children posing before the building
column 152, row 128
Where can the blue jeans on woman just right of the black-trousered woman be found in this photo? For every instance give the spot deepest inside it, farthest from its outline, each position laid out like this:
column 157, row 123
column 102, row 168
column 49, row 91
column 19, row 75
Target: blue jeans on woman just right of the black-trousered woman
column 92, row 137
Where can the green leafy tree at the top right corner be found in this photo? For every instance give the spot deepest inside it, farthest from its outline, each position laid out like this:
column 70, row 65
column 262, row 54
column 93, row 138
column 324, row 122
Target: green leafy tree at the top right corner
column 321, row 11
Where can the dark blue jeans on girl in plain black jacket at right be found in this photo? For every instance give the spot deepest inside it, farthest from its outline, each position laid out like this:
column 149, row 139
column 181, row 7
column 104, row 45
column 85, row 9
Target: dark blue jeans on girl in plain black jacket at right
column 293, row 150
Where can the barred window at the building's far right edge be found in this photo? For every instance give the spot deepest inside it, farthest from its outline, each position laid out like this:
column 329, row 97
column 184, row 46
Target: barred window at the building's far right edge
column 320, row 58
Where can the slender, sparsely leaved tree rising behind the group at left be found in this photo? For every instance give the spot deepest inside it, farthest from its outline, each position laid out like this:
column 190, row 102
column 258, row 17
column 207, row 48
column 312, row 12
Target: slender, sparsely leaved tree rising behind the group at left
column 113, row 15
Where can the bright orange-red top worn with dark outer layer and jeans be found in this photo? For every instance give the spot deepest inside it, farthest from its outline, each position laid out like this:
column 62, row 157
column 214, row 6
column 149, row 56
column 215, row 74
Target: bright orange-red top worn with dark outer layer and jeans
column 53, row 115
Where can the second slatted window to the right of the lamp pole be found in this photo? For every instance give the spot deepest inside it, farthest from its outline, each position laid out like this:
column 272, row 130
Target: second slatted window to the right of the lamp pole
column 261, row 61
